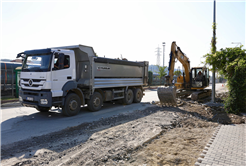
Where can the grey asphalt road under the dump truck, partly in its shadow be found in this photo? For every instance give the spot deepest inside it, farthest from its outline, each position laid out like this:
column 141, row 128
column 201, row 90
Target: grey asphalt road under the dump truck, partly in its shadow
column 19, row 123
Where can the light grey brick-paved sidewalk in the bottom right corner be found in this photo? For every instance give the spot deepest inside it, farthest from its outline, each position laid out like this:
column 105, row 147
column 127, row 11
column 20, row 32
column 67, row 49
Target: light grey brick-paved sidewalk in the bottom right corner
column 226, row 147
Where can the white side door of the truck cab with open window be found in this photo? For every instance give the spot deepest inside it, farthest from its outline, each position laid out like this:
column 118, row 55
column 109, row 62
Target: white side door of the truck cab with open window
column 62, row 72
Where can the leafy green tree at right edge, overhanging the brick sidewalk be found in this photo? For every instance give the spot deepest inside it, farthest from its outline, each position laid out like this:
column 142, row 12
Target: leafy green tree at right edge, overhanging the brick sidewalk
column 231, row 63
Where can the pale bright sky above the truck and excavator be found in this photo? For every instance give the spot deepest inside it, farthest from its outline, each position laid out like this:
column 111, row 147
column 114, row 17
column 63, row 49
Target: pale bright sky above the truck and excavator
column 131, row 29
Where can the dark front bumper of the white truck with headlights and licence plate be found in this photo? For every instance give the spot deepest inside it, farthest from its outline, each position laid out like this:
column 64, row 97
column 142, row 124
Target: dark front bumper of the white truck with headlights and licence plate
column 33, row 98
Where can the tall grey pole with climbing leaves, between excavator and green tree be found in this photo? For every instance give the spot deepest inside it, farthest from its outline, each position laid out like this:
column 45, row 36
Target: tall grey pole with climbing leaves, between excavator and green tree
column 214, row 44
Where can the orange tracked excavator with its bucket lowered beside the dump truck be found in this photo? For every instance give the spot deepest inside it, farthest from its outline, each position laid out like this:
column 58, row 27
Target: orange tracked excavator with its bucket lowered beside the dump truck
column 192, row 82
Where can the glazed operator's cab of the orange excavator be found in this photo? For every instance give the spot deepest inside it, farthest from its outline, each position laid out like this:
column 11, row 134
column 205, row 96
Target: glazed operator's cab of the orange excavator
column 199, row 78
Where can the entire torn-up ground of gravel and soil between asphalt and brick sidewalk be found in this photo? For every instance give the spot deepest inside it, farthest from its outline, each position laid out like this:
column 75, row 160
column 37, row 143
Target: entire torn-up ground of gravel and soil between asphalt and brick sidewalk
column 156, row 136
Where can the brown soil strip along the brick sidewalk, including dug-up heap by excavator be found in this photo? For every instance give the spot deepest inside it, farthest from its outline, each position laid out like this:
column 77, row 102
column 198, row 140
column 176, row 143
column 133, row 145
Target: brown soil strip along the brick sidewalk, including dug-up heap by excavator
column 184, row 143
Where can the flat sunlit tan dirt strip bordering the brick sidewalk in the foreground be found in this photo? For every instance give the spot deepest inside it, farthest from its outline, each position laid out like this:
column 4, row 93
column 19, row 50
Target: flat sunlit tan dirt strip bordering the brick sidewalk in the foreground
column 179, row 146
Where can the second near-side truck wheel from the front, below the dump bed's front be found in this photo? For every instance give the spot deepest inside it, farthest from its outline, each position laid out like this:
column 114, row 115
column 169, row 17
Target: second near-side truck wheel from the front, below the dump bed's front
column 95, row 103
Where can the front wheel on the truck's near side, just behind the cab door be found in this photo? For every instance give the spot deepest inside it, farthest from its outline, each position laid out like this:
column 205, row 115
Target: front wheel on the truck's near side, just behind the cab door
column 72, row 105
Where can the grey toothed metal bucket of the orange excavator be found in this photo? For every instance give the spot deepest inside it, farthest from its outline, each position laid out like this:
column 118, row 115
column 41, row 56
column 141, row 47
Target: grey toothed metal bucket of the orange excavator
column 167, row 95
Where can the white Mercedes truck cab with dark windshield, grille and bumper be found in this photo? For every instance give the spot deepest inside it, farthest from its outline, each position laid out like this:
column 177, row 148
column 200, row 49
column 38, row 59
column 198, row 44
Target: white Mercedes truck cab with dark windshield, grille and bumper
column 44, row 75
